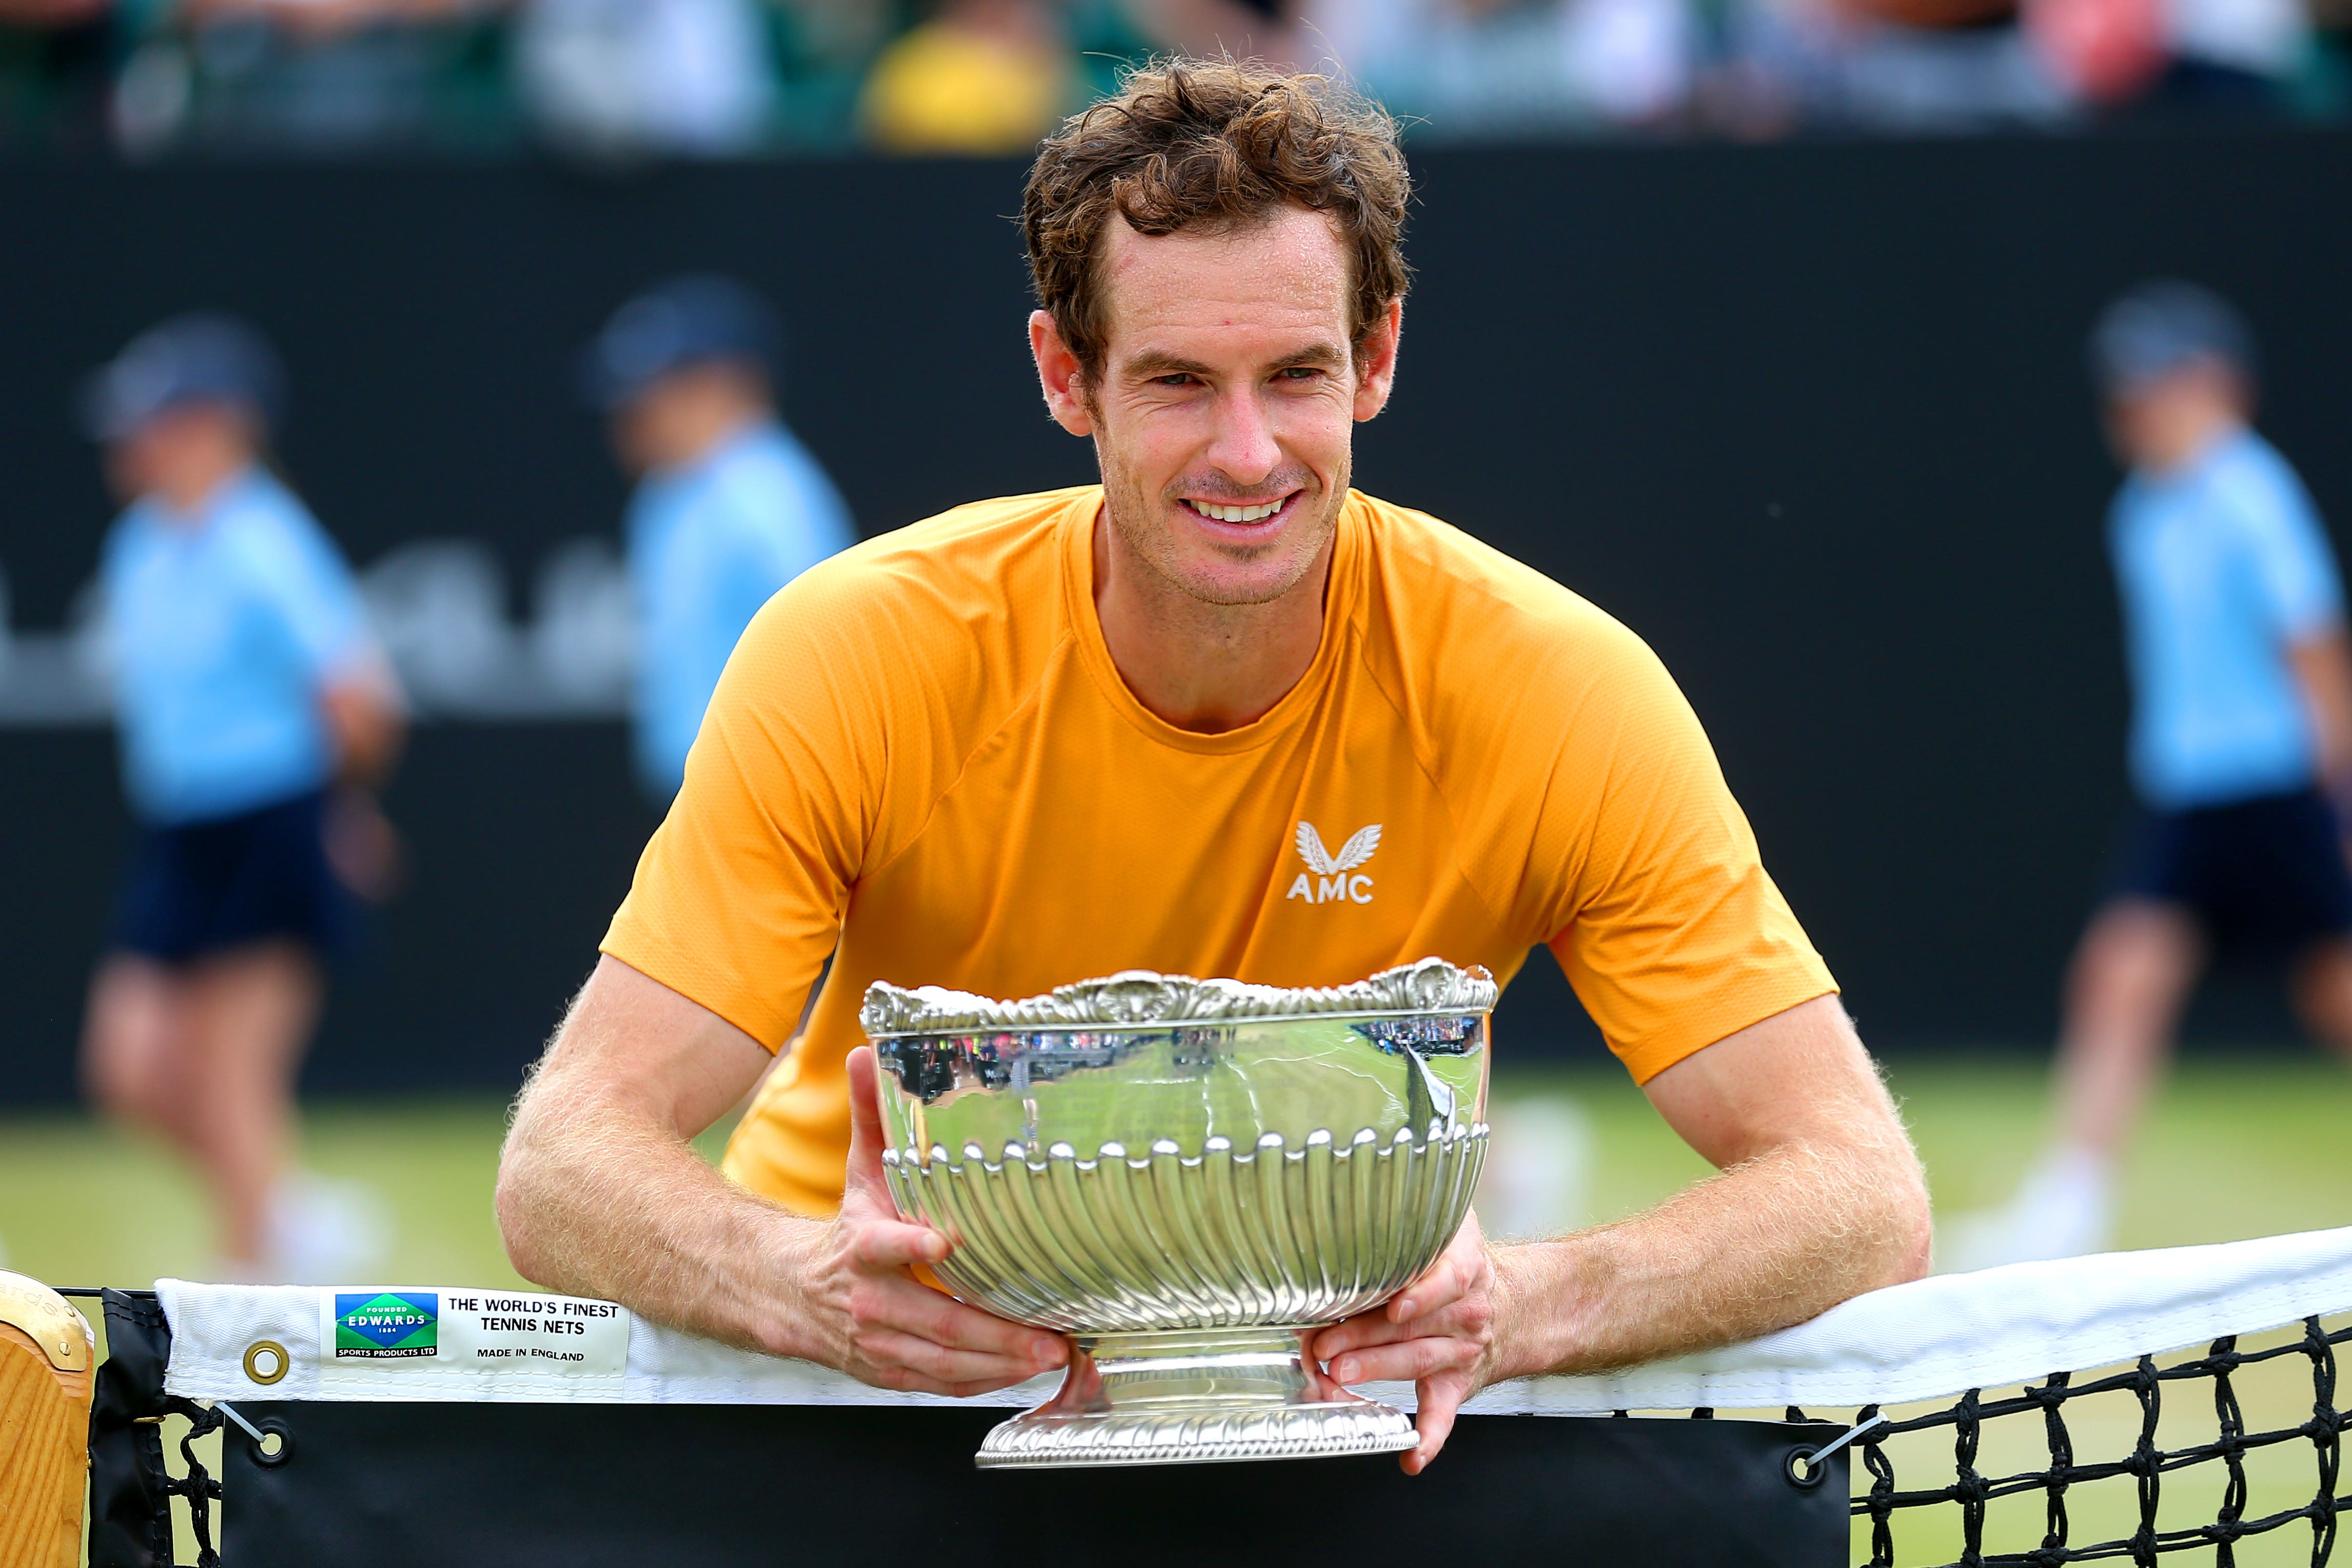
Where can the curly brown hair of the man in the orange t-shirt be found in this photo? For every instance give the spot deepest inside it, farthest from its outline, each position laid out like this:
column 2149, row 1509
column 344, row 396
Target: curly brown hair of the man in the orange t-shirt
column 1212, row 145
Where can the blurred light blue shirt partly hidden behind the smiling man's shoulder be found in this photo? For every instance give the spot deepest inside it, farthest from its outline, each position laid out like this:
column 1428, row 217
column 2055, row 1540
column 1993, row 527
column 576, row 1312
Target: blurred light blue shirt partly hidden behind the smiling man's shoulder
column 709, row 544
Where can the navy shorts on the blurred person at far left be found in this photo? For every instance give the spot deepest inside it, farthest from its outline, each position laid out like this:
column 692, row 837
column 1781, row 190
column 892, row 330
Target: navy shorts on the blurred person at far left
column 229, row 883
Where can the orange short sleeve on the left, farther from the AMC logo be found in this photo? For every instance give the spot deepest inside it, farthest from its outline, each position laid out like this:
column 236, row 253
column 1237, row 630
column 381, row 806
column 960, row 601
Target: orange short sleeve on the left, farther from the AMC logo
column 742, row 890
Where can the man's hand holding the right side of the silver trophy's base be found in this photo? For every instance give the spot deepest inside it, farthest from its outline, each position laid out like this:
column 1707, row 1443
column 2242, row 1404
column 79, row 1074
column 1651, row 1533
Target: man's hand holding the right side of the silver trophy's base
column 1443, row 1334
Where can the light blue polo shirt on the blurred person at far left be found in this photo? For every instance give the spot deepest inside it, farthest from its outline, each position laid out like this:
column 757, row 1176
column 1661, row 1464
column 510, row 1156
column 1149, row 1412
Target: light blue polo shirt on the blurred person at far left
column 227, row 629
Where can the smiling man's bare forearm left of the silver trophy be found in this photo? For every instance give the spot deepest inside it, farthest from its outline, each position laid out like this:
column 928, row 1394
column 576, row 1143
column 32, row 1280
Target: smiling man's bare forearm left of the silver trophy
column 596, row 1200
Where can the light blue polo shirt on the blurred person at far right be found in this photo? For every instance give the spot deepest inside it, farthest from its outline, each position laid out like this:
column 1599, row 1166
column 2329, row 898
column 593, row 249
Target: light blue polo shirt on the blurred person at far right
column 2224, row 565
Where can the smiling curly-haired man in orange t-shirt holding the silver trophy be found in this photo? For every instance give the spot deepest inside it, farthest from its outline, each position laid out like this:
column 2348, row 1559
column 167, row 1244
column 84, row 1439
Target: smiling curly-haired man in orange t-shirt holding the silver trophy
column 1067, row 735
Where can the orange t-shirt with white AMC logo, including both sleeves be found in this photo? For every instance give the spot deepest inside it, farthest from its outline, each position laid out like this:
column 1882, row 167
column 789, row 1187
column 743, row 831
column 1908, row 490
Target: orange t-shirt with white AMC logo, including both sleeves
column 921, row 751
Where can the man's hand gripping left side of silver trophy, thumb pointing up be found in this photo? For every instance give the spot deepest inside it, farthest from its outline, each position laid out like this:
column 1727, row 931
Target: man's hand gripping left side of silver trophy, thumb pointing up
column 874, row 1318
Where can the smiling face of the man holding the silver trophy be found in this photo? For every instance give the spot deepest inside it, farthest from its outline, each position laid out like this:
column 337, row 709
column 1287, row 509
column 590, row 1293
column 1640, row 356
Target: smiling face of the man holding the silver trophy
column 1227, row 403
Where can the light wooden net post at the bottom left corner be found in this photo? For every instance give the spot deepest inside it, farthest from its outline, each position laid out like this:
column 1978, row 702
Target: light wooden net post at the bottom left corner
column 46, row 1379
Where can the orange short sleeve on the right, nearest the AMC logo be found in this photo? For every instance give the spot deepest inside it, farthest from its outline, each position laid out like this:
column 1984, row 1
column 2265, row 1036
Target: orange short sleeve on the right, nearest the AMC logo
column 1673, row 937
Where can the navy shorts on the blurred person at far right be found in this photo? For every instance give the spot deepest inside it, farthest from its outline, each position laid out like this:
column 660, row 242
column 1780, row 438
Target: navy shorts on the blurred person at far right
column 2261, row 873
